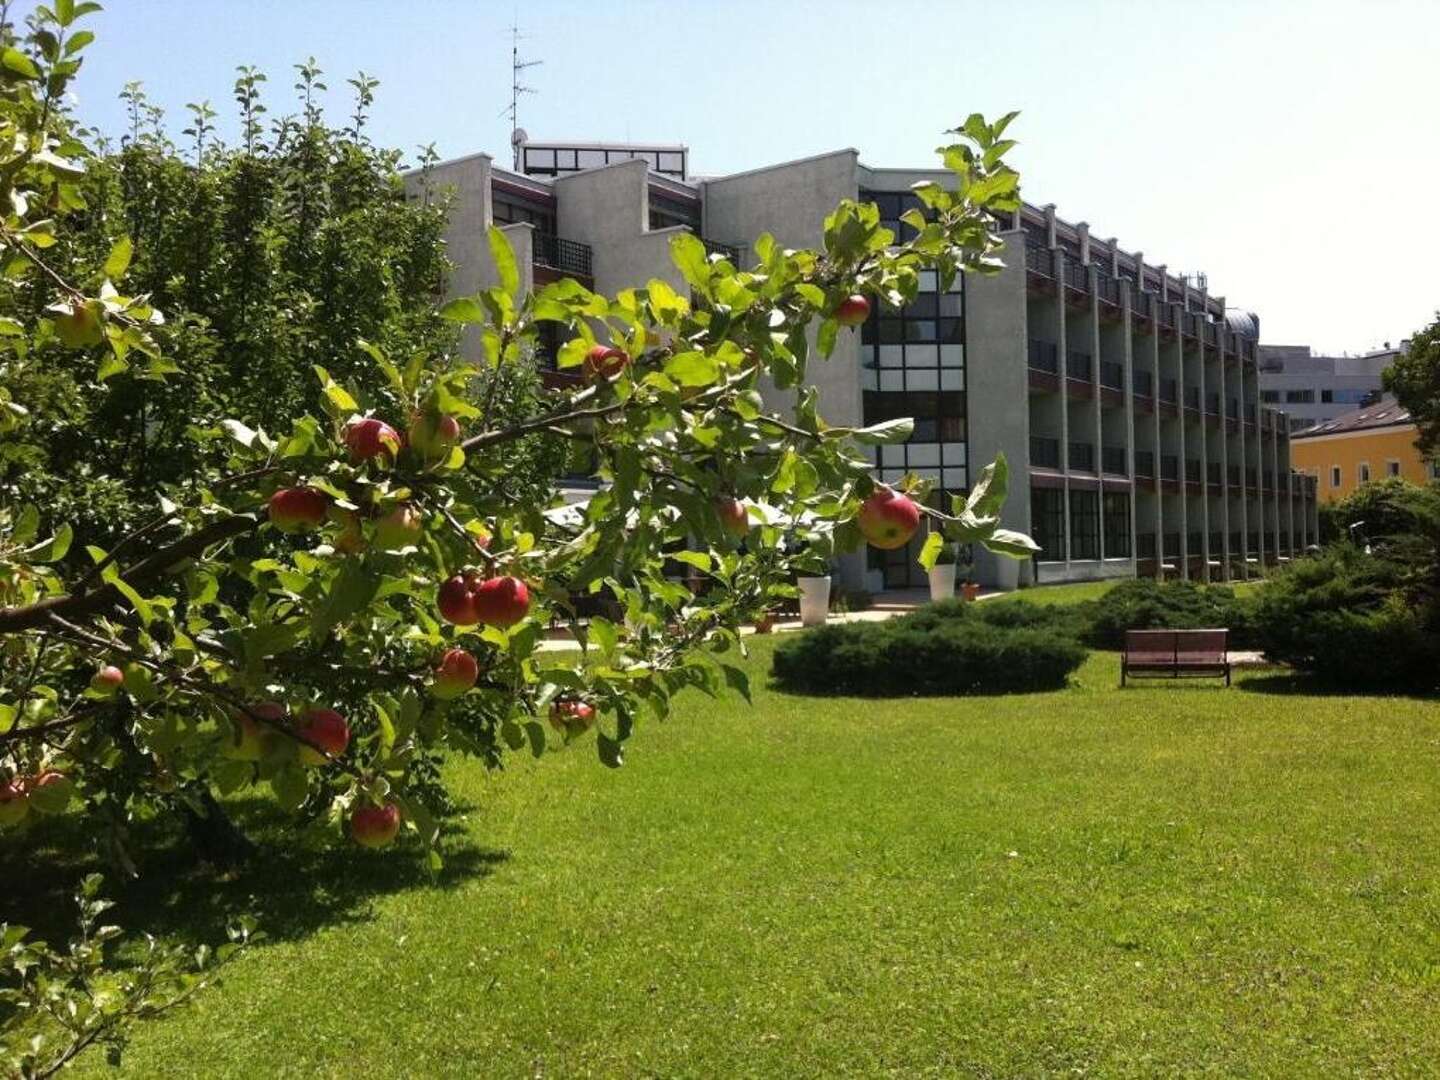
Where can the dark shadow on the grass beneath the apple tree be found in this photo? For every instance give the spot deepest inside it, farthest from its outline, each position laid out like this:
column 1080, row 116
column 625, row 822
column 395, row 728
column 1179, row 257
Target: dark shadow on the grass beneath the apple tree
column 296, row 883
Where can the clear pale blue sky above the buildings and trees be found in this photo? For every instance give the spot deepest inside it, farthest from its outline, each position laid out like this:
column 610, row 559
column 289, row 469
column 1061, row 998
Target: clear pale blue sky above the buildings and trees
column 1290, row 150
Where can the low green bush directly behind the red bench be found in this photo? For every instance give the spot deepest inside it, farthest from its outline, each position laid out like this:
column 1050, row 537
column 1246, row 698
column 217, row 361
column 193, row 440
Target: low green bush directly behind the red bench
column 1146, row 604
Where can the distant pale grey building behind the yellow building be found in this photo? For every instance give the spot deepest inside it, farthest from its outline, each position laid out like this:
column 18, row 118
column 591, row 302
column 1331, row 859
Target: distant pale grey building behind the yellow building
column 1314, row 390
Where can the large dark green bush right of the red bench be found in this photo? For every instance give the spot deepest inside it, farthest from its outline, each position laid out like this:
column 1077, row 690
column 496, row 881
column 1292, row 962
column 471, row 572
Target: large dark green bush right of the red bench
column 1346, row 618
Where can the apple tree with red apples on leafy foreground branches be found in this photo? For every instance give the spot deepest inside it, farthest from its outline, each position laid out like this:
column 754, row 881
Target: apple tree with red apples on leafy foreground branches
column 345, row 598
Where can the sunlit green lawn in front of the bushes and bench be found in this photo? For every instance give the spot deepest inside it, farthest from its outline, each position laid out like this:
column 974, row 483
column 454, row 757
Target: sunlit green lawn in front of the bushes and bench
column 1177, row 879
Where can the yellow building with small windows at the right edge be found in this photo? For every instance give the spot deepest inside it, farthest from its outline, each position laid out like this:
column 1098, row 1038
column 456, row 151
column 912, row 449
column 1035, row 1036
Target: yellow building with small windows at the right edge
column 1373, row 443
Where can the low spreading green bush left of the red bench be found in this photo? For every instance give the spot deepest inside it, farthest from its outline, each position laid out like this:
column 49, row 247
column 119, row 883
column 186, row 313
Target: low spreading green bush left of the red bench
column 944, row 649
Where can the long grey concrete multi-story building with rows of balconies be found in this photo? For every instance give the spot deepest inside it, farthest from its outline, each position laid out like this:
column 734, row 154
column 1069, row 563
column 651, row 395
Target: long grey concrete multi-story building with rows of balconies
column 1125, row 398
